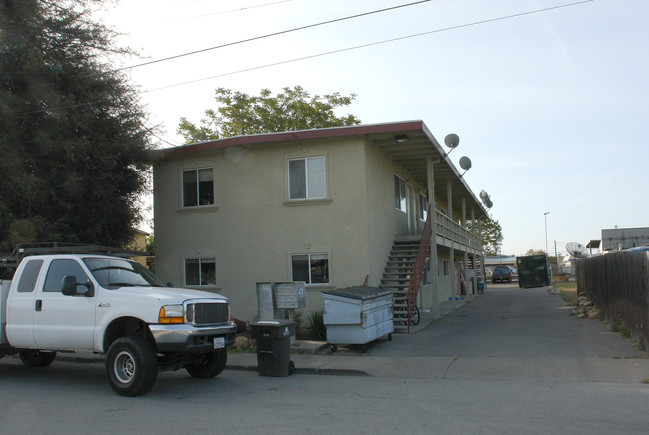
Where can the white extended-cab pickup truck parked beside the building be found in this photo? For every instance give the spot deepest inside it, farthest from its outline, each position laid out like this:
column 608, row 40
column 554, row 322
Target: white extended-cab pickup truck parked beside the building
column 112, row 306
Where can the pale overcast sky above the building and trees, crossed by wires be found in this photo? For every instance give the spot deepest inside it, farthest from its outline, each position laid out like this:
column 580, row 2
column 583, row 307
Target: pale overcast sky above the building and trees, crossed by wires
column 550, row 106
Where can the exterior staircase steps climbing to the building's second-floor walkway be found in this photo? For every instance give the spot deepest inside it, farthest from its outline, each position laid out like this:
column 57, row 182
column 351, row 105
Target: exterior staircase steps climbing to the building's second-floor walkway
column 396, row 278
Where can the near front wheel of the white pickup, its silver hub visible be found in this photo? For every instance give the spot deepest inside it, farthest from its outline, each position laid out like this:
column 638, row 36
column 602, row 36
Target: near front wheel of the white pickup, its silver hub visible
column 131, row 366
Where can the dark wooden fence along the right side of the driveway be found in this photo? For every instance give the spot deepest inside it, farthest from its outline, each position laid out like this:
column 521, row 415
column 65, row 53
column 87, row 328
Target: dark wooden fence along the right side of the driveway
column 618, row 284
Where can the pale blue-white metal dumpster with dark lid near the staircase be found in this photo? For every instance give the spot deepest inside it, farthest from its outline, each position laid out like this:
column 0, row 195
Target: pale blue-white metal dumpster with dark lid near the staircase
column 357, row 315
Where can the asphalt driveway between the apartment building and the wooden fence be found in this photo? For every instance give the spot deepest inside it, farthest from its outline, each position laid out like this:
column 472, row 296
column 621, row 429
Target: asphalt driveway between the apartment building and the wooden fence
column 511, row 322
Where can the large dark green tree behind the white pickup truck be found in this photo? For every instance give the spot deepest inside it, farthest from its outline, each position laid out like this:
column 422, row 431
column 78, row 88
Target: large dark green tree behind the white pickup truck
column 75, row 154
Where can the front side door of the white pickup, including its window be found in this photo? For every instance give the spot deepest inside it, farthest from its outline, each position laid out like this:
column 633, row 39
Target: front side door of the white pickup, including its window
column 60, row 321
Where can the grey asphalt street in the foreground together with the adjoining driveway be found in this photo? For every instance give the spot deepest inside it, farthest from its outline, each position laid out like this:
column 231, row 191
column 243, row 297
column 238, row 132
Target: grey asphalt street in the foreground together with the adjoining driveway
column 511, row 361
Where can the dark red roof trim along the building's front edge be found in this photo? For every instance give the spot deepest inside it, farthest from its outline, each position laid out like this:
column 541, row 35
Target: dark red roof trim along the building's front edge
column 322, row 133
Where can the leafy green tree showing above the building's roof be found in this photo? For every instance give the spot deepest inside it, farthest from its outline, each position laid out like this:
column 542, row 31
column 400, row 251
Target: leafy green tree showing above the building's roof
column 240, row 114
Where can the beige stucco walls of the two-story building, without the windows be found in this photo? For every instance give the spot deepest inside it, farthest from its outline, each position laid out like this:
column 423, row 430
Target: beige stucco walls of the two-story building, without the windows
column 252, row 229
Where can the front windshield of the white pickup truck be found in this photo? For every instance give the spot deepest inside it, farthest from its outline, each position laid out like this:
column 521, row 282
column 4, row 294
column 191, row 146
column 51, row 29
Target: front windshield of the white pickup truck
column 115, row 273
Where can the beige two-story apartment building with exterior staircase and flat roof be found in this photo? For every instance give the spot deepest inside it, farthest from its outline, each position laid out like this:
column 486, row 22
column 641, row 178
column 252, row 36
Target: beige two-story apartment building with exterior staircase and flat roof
column 332, row 207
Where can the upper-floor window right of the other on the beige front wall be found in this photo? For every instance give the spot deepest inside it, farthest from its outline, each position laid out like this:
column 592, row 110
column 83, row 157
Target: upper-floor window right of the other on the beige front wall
column 307, row 178
